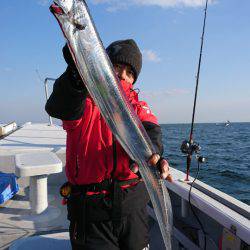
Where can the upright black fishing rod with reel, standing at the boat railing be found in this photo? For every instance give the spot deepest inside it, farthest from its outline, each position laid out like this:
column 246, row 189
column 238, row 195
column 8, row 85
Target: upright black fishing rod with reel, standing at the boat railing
column 189, row 147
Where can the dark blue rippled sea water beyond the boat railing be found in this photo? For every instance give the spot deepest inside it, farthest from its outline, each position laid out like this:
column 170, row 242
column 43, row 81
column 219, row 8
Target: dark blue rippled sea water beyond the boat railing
column 227, row 149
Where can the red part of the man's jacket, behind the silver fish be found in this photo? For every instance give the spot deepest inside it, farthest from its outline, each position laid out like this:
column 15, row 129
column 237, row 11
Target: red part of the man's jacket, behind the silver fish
column 90, row 145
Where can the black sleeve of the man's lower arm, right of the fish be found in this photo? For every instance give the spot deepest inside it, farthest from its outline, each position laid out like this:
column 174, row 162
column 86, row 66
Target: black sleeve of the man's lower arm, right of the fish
column 155, row 134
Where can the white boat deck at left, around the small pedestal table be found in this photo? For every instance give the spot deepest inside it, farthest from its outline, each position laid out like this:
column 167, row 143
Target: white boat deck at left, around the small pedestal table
column 19, row 228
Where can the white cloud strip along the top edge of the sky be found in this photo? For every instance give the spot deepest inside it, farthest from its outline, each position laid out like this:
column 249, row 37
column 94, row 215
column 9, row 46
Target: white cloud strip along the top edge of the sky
column 118, row 4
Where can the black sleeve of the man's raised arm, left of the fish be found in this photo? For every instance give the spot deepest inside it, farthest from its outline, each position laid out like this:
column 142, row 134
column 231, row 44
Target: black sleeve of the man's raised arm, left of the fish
column 67, row 99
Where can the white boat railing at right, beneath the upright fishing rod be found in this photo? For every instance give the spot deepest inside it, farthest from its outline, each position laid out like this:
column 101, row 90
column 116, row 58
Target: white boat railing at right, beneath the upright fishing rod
column 224, row 209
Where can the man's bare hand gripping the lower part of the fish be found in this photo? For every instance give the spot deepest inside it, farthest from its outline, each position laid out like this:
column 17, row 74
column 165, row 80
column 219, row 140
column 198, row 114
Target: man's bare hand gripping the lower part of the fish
column 162, row 165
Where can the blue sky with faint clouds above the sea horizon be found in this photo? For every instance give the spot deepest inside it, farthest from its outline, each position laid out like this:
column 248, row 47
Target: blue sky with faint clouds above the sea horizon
column 168, row 33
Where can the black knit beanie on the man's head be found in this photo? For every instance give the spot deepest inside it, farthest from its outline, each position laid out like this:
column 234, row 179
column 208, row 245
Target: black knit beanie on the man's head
column 126, row 52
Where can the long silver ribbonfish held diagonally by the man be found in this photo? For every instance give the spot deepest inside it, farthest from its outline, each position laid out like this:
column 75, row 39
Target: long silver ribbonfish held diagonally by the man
column 98, row 75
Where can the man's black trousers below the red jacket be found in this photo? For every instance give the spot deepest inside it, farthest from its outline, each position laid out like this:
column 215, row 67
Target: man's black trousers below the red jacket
column 94, row 227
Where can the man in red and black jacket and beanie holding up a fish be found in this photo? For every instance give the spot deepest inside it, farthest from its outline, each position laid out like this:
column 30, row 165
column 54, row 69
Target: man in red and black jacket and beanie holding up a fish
column 107, row 204
